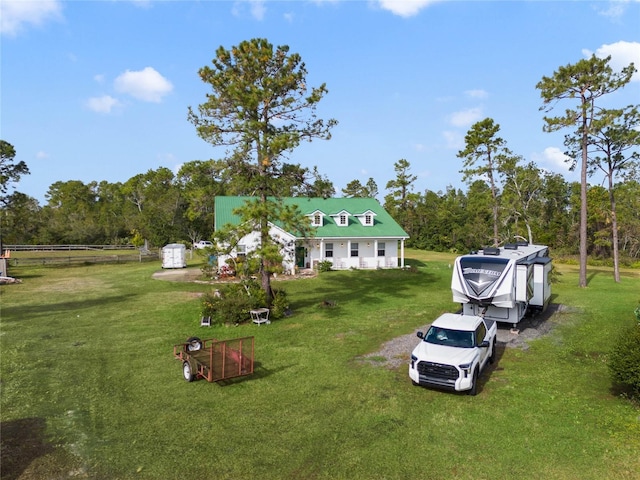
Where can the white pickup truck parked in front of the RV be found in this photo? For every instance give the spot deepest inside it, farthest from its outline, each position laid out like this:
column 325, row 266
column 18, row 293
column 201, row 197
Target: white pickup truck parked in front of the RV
column 453, row 352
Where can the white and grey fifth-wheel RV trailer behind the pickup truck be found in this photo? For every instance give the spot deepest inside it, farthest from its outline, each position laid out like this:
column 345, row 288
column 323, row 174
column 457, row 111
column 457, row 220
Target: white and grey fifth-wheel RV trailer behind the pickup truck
column 501, row 284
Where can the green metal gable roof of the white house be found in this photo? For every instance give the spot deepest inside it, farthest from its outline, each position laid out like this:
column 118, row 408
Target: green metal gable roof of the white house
column 384, row 226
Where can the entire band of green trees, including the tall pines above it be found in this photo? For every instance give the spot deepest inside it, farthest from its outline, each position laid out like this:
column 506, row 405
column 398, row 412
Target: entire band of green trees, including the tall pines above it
column 261, row 108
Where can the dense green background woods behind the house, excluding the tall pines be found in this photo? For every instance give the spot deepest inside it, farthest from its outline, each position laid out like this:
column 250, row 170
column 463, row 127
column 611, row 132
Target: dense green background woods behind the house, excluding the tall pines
column 163, row 207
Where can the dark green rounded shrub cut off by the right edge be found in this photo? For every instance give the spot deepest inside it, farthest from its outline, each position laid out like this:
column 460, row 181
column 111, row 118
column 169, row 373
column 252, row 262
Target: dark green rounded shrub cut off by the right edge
column 624, row 361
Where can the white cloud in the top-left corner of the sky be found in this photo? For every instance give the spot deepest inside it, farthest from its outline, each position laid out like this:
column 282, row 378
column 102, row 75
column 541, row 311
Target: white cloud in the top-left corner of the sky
column 16, row 14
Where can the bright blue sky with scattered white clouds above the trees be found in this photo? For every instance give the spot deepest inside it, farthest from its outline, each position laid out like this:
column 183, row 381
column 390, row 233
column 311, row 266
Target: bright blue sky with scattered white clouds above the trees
column 99, row 90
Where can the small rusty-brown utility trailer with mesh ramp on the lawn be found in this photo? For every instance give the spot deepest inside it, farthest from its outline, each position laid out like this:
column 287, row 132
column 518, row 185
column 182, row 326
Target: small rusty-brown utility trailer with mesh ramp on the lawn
column 215, row 360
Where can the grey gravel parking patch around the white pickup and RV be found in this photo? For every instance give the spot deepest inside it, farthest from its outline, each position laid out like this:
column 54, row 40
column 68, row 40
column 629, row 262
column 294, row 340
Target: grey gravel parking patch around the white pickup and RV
column 396, row 352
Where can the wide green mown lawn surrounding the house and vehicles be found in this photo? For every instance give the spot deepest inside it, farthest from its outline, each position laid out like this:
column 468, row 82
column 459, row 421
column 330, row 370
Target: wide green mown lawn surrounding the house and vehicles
column 90, row 388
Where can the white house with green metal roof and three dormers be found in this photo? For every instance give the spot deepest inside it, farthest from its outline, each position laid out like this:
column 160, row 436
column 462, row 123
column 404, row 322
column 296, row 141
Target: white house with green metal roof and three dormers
column 348, row 232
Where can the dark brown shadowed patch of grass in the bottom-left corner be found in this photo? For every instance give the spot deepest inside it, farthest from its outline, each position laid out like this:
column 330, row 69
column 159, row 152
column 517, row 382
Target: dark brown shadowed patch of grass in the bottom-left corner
column 22, row 442
